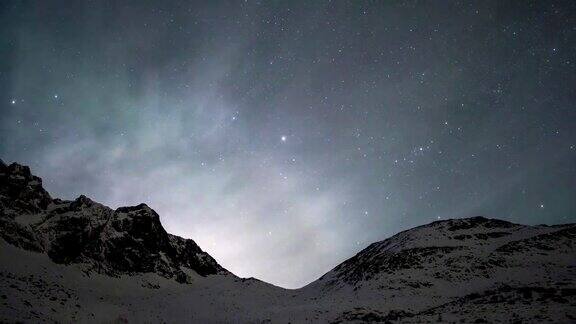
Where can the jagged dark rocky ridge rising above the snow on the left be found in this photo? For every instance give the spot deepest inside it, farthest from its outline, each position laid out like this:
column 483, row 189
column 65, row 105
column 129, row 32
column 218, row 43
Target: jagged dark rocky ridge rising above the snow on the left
column 122, row 241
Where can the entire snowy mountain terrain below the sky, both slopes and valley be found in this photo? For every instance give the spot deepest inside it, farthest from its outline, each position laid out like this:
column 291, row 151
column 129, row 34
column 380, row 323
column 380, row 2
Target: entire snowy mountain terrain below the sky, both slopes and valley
column 80, row 261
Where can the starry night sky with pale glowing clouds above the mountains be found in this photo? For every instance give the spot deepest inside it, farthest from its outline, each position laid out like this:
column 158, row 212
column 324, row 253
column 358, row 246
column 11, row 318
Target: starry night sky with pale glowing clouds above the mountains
column 283, row 137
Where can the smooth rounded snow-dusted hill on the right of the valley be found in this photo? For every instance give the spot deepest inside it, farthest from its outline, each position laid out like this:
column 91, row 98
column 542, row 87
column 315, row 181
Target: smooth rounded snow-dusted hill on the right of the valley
column 471, row 269
